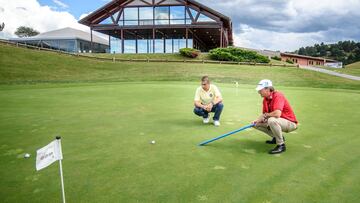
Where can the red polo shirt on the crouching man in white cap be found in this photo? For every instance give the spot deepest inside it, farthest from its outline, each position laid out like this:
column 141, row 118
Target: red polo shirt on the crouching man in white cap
column 277, row 101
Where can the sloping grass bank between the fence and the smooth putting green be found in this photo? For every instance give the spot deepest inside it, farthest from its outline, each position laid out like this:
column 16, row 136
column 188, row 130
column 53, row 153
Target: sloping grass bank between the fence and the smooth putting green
column 20, row 65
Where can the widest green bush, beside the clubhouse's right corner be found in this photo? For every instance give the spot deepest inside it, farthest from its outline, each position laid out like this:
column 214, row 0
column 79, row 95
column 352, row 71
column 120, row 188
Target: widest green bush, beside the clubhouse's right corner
column 238, row 55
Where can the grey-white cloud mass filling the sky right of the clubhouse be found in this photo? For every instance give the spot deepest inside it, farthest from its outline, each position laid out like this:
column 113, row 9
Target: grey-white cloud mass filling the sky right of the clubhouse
column 289, row 24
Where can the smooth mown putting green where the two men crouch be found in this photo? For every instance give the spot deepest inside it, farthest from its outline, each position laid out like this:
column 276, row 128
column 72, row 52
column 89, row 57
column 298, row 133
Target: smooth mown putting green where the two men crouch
column 107, row 129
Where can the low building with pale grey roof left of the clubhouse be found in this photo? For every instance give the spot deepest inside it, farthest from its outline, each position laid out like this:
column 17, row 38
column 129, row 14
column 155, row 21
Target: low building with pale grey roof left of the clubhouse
column 67, row 39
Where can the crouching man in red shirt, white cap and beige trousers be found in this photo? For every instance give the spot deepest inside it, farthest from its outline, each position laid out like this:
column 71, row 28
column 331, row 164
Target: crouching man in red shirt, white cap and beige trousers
column 277, row 117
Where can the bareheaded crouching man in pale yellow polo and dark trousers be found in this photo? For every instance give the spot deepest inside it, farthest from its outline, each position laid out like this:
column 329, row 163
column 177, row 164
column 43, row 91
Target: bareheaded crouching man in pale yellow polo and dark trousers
column 208, row 99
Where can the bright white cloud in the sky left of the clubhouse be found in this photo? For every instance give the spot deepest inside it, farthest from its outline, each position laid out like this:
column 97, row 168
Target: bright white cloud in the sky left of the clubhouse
column 30, row 13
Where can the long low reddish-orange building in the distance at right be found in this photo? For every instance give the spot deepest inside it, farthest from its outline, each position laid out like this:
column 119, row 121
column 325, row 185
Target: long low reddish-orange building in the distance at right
column 310, row 61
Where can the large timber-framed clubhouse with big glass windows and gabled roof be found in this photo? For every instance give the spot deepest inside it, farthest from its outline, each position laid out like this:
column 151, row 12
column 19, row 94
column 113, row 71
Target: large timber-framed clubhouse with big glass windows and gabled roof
column 160, row 26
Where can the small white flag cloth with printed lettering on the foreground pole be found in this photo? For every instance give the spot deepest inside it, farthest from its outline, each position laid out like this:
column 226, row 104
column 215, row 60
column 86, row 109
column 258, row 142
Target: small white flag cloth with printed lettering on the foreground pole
column 48, row 155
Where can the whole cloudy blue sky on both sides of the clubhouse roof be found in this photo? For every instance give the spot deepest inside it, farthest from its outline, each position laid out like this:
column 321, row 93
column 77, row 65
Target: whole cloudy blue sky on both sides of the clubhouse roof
column 284, row 25
